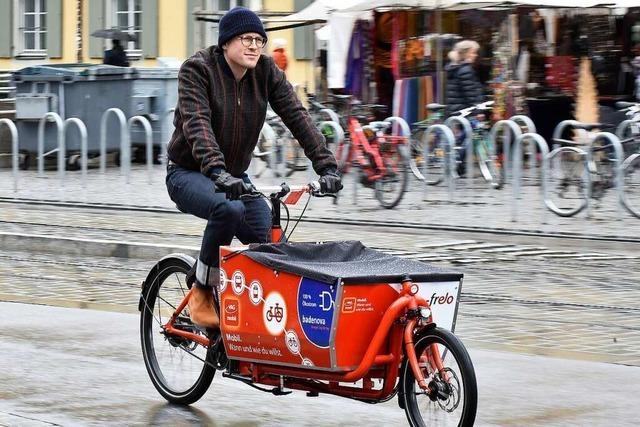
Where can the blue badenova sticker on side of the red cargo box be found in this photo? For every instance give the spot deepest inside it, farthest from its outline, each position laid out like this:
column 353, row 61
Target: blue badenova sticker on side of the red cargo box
column 316, row 302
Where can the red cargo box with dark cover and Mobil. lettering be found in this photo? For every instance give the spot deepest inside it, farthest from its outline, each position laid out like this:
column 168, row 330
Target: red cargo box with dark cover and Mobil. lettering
column 318, row 305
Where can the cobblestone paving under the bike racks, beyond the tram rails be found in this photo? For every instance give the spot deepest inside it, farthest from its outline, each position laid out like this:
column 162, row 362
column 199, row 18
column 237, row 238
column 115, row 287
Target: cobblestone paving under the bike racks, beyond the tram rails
column 474, row 205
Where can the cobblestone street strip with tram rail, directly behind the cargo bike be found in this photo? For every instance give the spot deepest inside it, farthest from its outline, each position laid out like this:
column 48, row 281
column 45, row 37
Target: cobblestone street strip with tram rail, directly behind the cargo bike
column 569, row 301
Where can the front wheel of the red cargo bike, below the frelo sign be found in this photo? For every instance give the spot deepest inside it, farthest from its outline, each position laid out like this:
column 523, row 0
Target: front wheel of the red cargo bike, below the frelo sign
column 452, row 397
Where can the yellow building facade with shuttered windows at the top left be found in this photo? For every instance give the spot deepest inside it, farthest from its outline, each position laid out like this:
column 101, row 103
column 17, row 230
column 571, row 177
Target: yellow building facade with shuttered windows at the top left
column 36, row 32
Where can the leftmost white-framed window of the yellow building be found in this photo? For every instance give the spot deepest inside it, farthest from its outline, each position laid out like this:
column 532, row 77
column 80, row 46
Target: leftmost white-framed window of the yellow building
column 32, row 28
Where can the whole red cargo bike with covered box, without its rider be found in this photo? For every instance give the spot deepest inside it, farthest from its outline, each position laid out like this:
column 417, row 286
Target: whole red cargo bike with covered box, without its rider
column 335, row 318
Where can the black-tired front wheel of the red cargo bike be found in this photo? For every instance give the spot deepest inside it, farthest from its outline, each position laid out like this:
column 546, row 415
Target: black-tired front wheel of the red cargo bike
column 452, row 350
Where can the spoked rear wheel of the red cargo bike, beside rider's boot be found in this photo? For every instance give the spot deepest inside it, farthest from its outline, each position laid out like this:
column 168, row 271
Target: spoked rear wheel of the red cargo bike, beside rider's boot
column 180, row 369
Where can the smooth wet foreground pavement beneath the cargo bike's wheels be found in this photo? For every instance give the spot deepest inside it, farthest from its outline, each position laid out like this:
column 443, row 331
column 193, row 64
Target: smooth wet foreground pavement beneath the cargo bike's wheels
column 82, row 367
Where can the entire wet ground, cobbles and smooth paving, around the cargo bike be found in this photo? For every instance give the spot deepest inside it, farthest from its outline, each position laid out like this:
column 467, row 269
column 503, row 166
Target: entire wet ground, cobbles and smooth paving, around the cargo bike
column 528, row 292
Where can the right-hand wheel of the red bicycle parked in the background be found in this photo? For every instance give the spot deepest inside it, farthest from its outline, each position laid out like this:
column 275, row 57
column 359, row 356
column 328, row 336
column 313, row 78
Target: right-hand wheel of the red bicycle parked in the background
column 399, row 174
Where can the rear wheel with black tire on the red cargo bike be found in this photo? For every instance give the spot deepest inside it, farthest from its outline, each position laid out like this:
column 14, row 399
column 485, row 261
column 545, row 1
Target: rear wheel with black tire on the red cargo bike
column 194, row 388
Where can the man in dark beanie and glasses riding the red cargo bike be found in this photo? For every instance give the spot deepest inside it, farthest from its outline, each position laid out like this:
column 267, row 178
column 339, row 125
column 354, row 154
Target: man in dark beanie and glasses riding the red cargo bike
column 223, row 93
